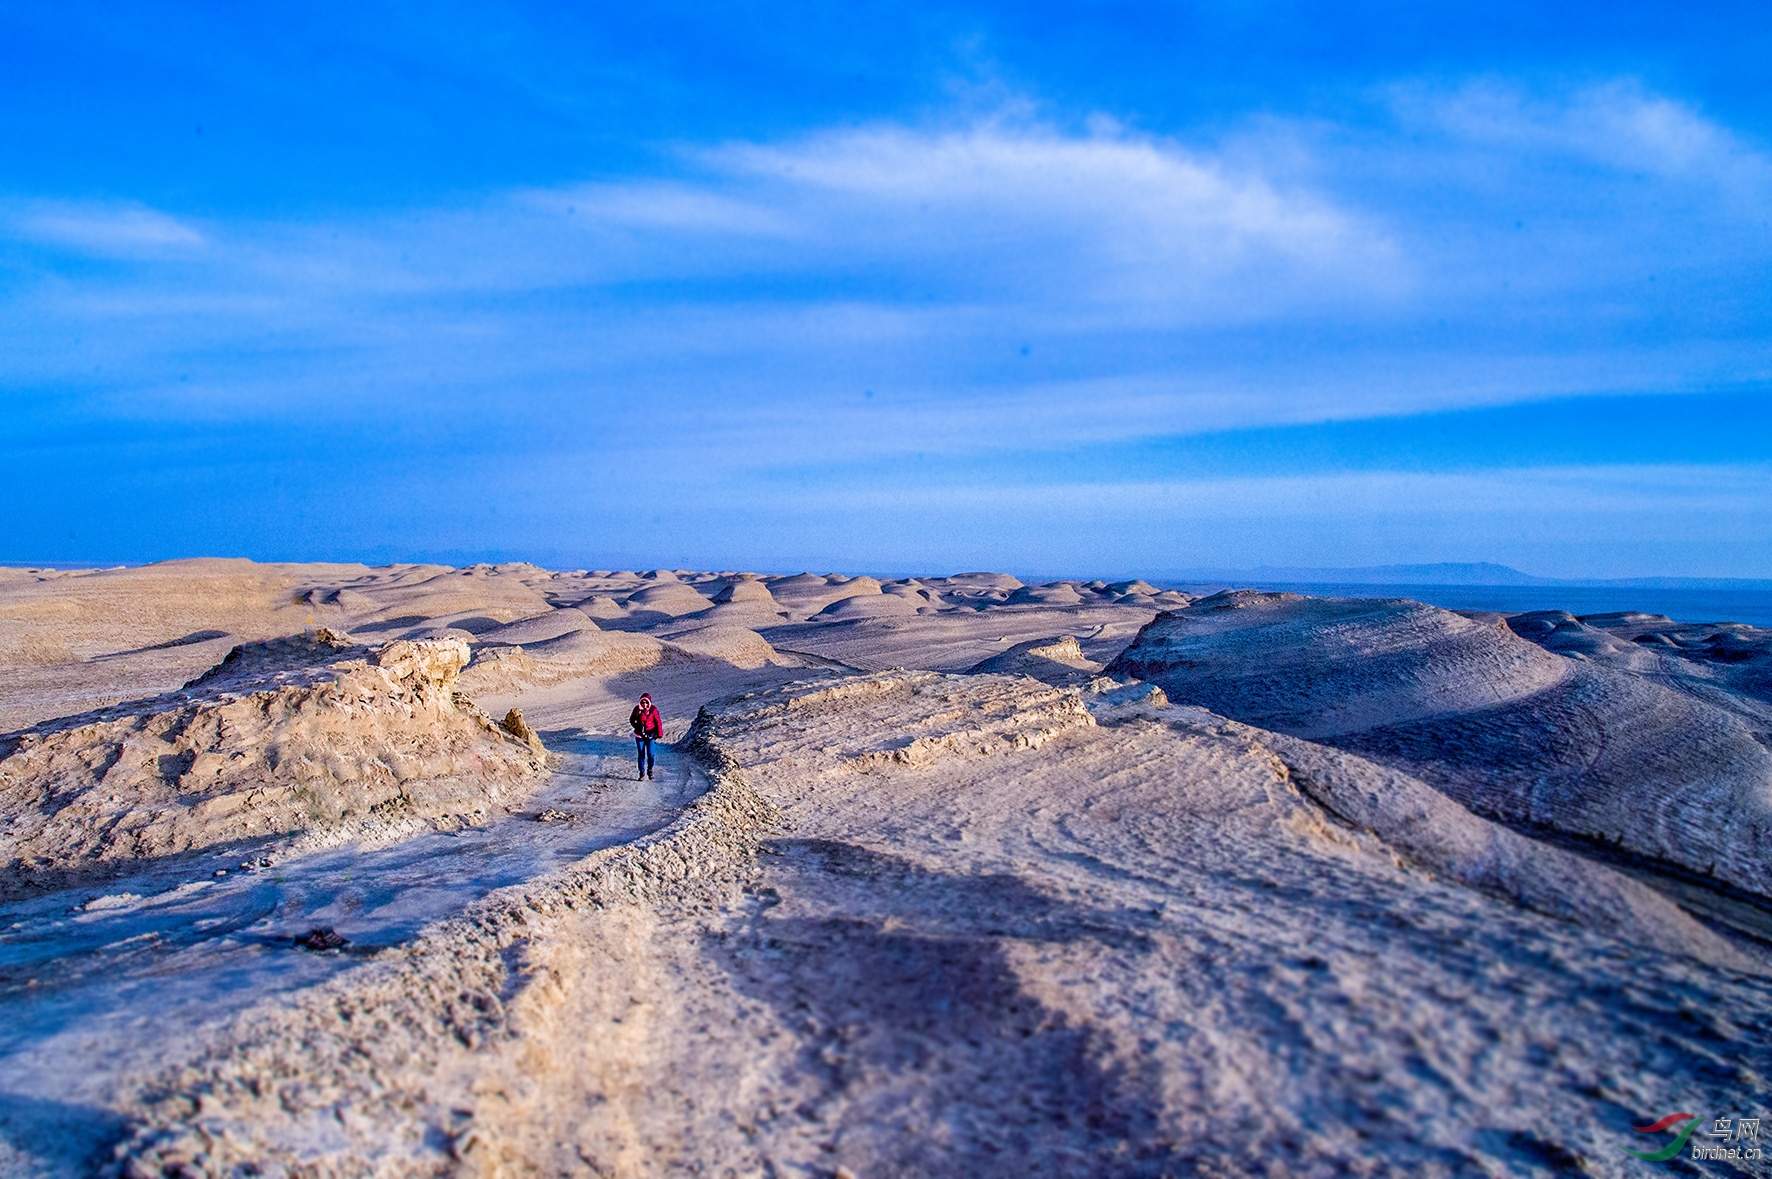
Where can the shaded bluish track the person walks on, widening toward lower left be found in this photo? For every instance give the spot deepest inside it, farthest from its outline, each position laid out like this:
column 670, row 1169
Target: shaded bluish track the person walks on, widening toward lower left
column 102, row 987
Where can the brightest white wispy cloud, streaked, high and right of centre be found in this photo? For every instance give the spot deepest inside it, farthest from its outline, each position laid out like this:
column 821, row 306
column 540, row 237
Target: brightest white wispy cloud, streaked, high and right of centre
column 1098, row 219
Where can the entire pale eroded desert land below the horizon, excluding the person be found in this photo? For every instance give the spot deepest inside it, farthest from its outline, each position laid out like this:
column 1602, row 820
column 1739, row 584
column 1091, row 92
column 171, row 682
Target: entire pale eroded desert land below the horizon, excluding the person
column 348, row 871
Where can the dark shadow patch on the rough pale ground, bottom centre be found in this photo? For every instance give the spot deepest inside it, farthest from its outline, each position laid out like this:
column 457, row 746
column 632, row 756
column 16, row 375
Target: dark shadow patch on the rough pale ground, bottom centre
column 912, row 1010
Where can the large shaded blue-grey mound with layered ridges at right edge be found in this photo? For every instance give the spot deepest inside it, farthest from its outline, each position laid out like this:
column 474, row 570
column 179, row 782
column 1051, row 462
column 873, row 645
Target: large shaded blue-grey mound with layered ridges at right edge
column 1505, row 728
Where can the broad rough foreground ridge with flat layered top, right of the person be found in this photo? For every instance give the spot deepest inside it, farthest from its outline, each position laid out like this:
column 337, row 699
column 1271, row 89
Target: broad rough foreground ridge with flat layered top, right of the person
column 961, row 926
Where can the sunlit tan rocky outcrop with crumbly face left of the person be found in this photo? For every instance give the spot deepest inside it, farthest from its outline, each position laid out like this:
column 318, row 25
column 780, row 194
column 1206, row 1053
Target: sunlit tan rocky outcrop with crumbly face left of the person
column 283, row 738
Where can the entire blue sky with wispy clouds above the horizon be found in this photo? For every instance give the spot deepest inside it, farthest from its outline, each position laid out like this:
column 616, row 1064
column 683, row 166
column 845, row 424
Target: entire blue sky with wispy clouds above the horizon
column 1087, row 288
